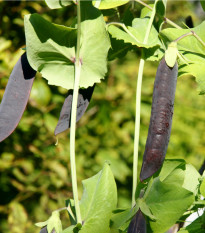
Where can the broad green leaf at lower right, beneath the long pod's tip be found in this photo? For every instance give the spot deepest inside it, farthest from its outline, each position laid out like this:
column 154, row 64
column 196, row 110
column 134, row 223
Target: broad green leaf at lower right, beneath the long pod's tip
column 167, row 198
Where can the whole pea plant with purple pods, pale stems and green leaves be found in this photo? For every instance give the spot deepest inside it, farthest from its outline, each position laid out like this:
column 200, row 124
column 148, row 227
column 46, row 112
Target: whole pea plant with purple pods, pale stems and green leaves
column 75, row 58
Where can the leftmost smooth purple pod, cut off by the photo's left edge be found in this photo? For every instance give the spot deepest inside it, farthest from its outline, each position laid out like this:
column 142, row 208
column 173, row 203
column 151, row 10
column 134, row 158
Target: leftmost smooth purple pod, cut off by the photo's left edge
column 16, row 96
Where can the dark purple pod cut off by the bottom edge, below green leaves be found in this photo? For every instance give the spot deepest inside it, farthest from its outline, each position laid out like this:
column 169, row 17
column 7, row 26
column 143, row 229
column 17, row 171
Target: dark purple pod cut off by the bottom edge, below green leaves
column 138, row 223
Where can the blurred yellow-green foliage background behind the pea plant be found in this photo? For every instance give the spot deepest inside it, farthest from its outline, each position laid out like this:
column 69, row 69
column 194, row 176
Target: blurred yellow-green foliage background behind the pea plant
column 35, row 173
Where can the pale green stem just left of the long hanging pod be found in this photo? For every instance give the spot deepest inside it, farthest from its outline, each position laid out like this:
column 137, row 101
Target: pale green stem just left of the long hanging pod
column 137, row 114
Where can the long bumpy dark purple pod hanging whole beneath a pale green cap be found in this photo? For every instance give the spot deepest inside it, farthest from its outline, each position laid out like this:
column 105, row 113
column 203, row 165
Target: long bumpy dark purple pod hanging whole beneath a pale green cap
column 160, row 120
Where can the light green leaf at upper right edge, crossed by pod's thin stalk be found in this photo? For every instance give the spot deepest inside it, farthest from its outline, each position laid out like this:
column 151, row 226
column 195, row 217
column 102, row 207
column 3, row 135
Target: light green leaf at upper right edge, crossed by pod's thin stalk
column 192, row 50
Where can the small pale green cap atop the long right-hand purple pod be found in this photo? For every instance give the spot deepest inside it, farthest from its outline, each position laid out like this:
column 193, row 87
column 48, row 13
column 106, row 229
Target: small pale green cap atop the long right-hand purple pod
column 171, row 54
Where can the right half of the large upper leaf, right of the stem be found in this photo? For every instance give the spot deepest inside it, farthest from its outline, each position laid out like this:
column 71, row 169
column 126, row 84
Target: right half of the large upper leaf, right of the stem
column 95, row 45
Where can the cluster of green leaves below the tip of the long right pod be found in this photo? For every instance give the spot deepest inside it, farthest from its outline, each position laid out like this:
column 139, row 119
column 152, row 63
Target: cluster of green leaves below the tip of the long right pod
column 172, row 192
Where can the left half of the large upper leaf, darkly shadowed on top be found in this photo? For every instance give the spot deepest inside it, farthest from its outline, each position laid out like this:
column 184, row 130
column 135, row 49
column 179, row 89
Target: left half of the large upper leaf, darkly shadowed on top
column 51, row 50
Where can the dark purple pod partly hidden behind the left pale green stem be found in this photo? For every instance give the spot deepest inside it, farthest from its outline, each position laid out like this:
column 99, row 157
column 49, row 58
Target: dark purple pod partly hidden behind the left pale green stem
column 84, row 97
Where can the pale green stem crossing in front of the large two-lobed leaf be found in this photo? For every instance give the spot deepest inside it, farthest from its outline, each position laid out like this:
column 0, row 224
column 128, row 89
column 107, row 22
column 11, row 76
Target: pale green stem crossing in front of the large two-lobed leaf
column 73, row 120
